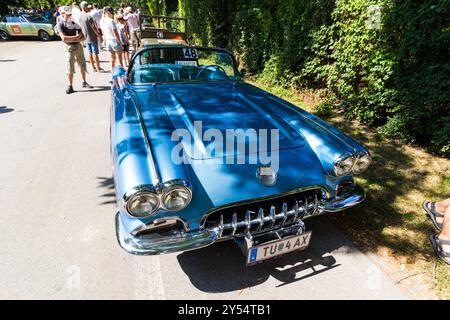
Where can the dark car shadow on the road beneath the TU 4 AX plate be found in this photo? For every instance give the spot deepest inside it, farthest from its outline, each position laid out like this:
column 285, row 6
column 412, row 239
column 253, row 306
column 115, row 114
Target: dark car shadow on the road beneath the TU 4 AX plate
column 221, row 266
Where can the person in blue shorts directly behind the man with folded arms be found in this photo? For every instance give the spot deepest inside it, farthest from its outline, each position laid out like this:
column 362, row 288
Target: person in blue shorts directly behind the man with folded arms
column 92, row 36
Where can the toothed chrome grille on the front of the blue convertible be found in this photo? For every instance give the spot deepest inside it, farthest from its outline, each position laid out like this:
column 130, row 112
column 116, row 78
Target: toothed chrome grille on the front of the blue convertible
column 264, row 215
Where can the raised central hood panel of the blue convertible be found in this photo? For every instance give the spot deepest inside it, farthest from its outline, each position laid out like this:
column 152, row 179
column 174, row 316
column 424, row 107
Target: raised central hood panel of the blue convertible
column 221, row 109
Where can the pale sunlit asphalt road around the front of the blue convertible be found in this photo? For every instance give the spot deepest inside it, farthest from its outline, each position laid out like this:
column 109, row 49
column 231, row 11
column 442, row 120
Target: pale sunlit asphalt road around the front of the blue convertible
column 57, row 210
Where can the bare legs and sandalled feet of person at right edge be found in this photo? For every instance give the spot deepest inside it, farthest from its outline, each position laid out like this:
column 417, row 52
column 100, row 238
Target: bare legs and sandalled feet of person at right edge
column 439, row 213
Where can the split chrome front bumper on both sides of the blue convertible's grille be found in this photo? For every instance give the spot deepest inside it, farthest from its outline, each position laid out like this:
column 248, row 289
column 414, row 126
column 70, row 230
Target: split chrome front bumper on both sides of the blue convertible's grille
column 154, row 244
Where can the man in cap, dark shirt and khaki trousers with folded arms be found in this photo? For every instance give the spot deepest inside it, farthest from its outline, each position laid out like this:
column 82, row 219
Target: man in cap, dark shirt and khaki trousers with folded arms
column 71, row 35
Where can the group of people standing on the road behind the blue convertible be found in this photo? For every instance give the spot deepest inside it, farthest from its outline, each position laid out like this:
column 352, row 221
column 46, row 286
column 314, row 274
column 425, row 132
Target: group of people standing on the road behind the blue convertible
column 87, row 26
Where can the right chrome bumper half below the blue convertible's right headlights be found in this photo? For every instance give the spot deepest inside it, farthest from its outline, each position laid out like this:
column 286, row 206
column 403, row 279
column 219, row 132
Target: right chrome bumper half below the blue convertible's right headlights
column 348, row 197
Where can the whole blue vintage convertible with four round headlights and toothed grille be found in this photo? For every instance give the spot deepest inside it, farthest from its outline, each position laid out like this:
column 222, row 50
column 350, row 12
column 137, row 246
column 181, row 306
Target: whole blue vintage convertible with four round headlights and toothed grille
column 200, row 156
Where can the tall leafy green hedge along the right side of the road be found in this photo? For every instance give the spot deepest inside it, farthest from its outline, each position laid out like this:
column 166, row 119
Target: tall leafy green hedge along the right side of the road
column 386, row 62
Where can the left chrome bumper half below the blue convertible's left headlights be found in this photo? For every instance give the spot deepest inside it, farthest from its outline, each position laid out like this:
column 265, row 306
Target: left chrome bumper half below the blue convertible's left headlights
column 153, row 244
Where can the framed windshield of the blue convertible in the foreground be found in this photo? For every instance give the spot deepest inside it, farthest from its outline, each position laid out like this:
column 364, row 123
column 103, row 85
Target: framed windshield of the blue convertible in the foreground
column 176, row 64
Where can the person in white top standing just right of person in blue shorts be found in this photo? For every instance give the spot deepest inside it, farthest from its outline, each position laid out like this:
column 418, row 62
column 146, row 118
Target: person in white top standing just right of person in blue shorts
column 113, row 43
